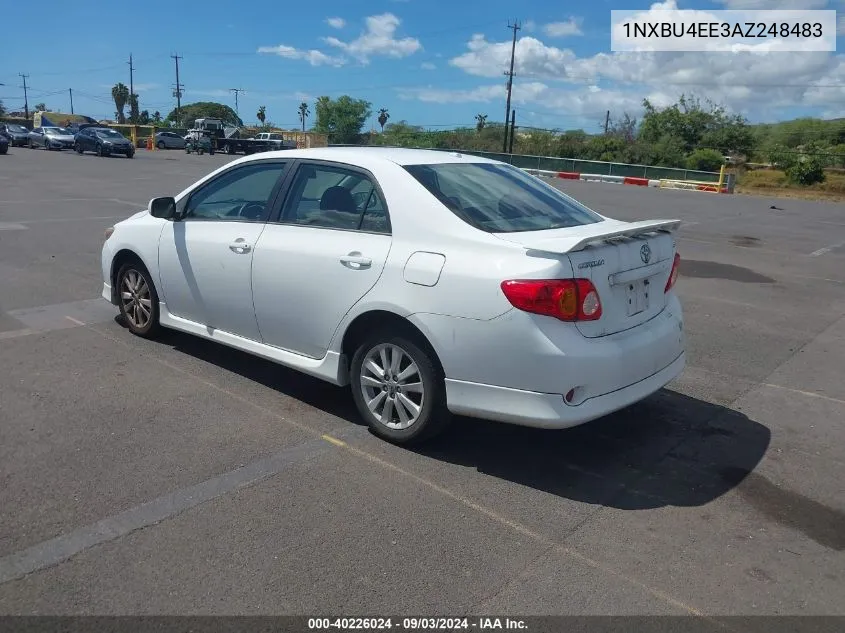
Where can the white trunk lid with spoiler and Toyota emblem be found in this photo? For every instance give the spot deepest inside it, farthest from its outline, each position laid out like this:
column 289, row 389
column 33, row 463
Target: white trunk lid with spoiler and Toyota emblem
column 628, row 262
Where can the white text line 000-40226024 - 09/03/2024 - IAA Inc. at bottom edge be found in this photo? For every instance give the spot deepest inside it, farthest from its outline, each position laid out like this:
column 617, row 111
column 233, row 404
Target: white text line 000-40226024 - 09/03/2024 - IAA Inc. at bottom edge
column 416, row 624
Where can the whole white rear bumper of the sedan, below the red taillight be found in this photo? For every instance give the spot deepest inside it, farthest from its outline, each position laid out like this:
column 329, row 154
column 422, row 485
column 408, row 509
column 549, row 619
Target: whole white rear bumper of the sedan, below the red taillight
column 517, row 367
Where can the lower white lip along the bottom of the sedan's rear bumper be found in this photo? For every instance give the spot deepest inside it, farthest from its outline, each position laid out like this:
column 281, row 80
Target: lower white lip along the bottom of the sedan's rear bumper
column 548, row 410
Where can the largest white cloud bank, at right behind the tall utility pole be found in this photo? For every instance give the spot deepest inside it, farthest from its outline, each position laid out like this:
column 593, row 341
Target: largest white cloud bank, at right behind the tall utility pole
column 759, row 85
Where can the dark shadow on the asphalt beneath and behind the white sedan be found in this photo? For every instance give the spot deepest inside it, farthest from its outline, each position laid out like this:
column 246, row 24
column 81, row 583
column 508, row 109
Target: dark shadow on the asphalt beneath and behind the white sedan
column 668, row 450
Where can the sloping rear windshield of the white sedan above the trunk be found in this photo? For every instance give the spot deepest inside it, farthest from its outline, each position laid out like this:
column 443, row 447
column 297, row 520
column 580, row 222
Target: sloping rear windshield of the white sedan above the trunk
column 500, row 198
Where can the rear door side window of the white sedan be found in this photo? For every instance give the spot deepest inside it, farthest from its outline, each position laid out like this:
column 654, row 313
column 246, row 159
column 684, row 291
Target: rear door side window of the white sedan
column 336, row 198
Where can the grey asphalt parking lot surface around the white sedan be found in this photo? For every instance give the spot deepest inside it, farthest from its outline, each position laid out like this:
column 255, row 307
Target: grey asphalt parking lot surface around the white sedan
column 182, row 477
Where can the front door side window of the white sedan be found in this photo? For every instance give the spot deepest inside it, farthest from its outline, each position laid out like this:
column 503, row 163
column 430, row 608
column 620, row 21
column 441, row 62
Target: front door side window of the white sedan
column 239, row 195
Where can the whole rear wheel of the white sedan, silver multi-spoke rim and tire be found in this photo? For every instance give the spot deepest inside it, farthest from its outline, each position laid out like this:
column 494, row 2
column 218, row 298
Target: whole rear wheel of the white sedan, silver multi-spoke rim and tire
column 399, row 388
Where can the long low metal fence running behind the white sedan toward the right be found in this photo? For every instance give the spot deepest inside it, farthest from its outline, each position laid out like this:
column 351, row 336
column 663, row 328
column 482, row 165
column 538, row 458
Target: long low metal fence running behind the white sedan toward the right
column 601, row 168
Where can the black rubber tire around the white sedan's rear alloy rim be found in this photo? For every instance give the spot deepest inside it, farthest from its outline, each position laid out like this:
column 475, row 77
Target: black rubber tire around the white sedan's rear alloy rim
column 434, row 416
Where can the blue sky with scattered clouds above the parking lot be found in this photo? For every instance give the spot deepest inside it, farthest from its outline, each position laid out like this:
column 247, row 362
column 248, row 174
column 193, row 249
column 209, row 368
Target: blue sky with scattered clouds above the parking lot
column 430, row 62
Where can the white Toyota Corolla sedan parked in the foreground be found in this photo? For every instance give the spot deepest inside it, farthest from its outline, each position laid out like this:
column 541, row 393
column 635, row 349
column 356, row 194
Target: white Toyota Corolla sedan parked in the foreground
column 433, row 283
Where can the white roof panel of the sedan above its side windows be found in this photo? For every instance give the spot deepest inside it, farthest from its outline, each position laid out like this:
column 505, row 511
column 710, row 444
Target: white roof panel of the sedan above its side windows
column 372, row 156
